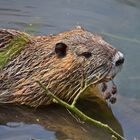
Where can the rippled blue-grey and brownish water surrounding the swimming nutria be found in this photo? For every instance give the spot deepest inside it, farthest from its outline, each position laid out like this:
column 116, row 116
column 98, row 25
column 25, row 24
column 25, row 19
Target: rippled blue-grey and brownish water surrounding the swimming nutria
column 106, row 17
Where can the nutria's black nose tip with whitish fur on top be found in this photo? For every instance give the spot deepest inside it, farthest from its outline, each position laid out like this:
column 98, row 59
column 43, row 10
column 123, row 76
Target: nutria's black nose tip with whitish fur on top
column 119, row 59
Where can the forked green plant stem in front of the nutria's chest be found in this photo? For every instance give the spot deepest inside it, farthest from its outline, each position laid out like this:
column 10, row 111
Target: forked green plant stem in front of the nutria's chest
column 81, row 114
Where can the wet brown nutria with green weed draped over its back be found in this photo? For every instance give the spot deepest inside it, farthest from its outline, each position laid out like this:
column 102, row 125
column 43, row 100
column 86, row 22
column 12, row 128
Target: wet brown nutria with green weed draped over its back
column 60, row 61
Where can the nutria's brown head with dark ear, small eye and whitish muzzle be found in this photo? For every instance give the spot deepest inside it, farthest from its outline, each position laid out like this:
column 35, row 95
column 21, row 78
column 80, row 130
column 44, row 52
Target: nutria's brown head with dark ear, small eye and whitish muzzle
column 98, row 60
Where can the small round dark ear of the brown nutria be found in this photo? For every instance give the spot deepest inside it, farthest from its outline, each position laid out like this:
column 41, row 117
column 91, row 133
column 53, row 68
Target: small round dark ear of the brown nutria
column 60, row 49
